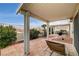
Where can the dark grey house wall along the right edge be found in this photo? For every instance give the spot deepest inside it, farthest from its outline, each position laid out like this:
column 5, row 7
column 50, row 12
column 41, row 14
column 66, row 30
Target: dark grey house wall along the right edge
column 76, row 32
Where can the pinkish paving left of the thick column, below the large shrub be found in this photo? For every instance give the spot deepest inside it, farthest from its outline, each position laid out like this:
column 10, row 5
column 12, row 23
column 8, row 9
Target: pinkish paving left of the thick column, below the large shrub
column 13, row 50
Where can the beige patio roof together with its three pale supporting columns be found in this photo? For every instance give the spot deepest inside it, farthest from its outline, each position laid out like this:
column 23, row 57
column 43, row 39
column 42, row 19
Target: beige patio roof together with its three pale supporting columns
column 48, row 13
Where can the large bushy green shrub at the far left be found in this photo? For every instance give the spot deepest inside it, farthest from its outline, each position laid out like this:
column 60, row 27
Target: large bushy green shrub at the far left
column 7, row 35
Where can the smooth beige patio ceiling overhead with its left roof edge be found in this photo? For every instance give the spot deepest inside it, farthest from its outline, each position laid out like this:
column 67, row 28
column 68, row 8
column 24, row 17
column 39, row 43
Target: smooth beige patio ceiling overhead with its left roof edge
column 49, row 11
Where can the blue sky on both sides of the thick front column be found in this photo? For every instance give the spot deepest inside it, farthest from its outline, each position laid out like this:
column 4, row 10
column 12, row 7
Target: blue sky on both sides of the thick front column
column 8, row 15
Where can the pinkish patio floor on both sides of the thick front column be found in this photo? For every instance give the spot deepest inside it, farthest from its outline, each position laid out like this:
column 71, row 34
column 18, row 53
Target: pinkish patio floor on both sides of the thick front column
column 38, row 47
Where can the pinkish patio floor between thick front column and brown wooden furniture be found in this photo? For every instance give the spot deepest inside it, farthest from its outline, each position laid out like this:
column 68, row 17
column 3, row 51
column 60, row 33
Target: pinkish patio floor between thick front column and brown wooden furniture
column 39, row 47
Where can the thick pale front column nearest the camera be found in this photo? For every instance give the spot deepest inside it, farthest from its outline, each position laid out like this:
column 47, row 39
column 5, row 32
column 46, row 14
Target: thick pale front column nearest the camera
column 26, row 33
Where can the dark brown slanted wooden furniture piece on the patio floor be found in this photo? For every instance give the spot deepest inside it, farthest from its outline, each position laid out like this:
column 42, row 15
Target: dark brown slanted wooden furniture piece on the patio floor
column 55, row 46
